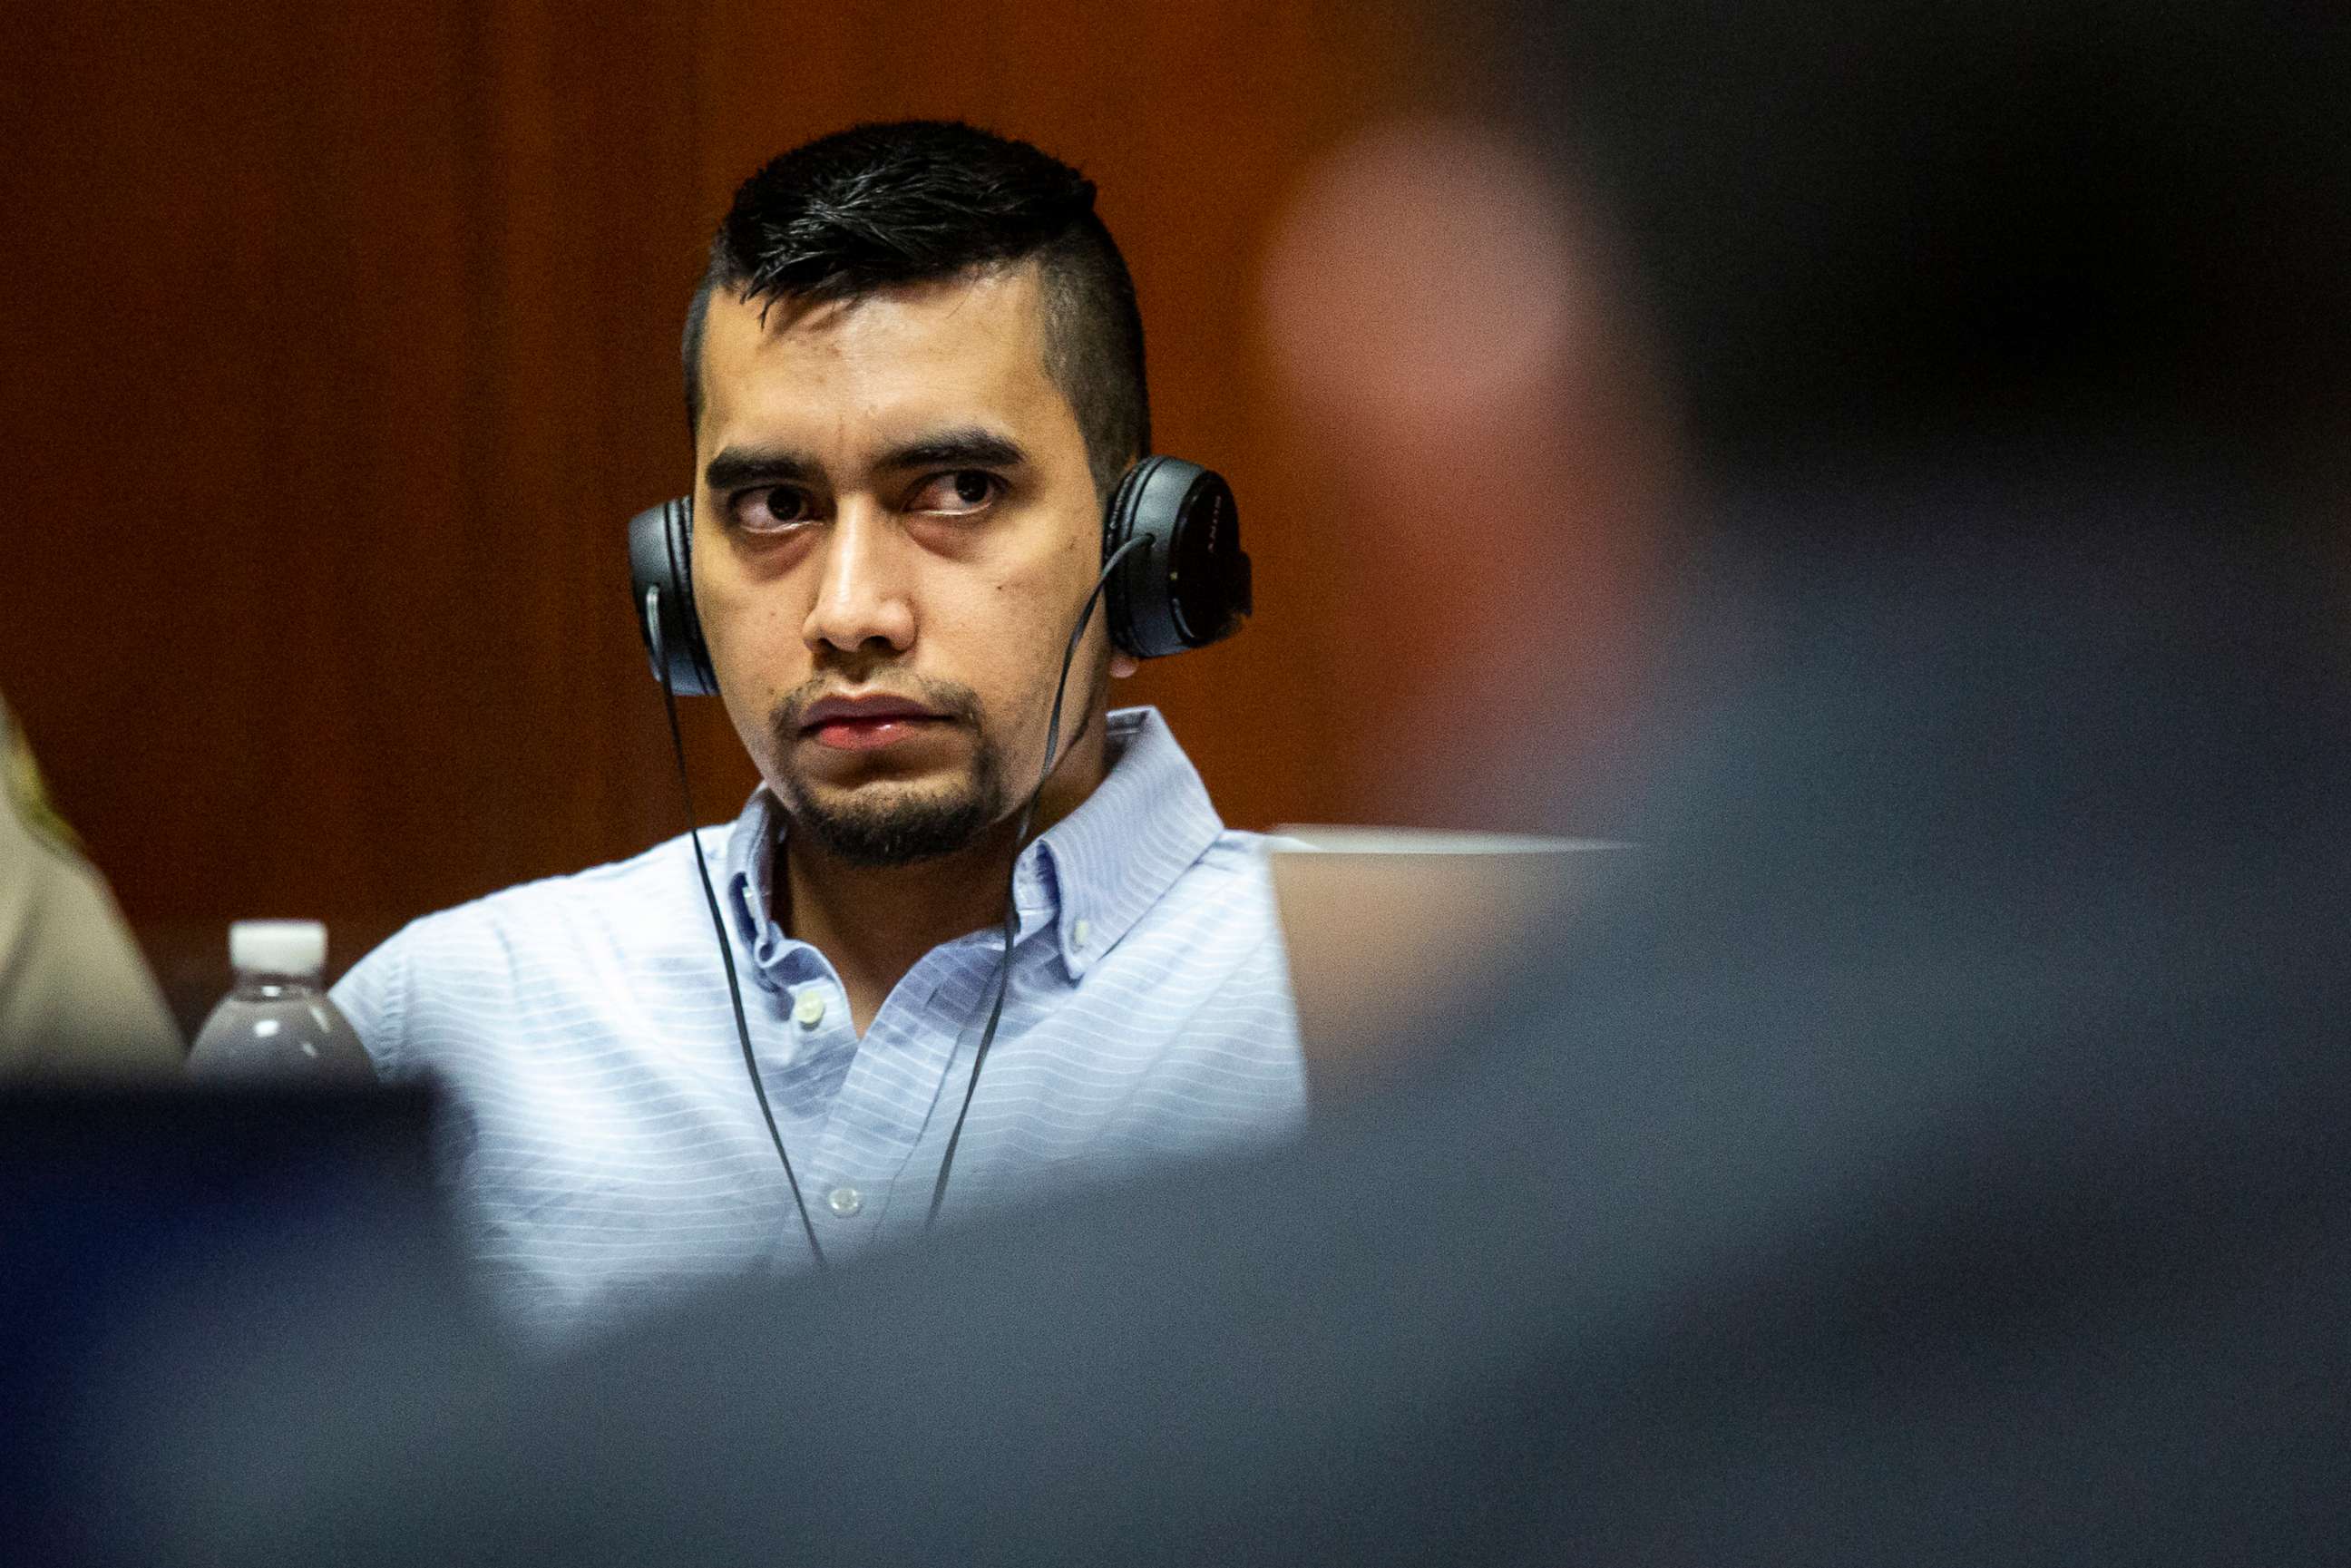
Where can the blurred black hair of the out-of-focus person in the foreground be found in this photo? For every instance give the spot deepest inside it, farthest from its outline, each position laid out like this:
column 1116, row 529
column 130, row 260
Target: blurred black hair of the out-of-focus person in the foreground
column 1884, row 227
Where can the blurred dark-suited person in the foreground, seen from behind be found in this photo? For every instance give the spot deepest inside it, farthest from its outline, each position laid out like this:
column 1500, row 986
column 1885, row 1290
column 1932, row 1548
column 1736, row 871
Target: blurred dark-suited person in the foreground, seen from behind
column 1943, row 1153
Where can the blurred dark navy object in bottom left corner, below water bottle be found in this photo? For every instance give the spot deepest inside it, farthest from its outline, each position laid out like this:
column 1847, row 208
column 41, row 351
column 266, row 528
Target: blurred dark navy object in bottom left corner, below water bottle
column 170, row 1240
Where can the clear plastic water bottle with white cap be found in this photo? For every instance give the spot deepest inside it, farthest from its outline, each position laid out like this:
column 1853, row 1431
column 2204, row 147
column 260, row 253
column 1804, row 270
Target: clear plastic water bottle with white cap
column 279, row 1024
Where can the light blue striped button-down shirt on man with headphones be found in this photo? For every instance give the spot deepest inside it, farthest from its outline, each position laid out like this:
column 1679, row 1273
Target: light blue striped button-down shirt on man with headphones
column 603, row 1134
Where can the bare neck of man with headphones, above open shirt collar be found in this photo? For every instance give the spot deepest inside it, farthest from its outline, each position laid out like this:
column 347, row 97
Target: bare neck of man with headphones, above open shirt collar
column 876, row 923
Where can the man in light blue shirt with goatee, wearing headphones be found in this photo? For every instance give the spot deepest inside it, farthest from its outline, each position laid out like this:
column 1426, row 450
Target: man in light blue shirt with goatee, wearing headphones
column 913, row 377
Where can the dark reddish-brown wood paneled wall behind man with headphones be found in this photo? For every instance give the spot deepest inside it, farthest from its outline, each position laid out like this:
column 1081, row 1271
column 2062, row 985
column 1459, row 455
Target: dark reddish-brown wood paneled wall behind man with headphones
column 340, row 342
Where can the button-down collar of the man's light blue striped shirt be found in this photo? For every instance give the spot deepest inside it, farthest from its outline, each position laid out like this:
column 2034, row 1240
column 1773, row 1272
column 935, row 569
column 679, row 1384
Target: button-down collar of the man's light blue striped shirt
column 1092, row 876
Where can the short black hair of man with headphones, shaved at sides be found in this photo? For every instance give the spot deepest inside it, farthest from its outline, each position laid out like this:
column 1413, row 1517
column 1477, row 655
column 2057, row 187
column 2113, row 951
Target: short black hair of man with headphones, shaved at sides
column 920, row 201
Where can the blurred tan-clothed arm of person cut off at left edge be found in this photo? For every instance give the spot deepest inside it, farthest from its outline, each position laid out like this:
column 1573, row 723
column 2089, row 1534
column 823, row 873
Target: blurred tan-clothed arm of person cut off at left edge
column 76, row 1000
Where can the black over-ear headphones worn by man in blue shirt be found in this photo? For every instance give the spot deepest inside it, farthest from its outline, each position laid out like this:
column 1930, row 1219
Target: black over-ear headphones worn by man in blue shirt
column 1188, row 584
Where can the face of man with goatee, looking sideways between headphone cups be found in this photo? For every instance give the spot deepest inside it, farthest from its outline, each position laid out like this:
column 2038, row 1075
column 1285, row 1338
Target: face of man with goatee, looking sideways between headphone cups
column 895, row 530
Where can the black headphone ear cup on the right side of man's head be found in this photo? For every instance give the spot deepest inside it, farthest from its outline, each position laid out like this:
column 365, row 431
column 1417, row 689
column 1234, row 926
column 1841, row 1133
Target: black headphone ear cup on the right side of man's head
column 1188, row 587
